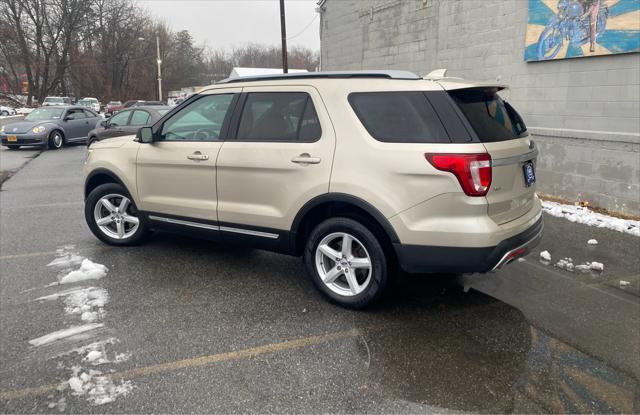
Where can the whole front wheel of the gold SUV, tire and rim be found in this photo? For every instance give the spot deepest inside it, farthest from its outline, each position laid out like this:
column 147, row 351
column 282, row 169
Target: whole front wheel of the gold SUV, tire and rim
column 113, row 217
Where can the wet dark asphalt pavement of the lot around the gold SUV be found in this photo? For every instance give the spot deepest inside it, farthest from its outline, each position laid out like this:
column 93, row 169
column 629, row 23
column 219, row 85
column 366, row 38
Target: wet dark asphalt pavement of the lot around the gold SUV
column 200, row 327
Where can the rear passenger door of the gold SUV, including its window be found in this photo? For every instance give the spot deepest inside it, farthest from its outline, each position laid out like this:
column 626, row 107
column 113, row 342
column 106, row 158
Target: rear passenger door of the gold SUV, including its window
column 281, row 158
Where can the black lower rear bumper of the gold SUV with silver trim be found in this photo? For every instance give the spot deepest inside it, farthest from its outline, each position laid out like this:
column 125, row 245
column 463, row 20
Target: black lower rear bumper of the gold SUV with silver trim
column 426, row 259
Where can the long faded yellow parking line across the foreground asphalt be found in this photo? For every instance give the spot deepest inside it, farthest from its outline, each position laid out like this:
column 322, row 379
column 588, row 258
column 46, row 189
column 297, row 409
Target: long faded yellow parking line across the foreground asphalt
column 197, row 361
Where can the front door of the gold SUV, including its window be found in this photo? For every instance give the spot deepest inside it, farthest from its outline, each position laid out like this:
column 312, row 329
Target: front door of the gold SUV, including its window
column 176, row 174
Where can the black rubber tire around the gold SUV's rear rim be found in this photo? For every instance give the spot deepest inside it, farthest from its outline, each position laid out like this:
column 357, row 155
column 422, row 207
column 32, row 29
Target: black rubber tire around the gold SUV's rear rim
column 379, row 265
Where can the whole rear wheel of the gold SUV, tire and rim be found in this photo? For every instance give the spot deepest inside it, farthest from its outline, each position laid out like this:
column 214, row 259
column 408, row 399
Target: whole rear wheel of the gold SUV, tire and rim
column 346, row 263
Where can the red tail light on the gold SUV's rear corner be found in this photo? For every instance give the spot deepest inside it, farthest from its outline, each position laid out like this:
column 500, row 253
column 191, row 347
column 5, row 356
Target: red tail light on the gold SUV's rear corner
column 472, row 170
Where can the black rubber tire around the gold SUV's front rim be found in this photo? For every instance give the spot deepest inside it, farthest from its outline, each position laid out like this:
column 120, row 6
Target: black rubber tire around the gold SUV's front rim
column 138, row 236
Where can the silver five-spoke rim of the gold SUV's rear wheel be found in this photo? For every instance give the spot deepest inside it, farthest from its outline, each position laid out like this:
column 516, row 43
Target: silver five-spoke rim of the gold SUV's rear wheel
column 344, row 264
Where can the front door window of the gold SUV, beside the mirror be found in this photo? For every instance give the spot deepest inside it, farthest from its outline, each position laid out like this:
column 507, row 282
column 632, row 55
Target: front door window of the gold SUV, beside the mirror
column 201, row 120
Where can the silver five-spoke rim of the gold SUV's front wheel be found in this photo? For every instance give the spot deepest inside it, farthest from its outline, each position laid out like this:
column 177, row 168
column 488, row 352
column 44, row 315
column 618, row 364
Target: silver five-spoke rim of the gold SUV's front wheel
column 114, row 217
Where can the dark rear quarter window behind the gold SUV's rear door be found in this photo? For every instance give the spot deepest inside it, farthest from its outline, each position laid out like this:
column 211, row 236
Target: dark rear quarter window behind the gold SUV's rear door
column 398, row 117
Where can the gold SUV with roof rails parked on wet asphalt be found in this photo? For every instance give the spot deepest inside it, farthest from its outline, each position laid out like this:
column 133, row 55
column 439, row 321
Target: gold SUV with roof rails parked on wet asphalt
column 361, row 173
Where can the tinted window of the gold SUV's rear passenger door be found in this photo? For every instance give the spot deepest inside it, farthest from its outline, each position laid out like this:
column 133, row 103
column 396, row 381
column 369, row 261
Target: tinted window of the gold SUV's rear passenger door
column 279, row 116
